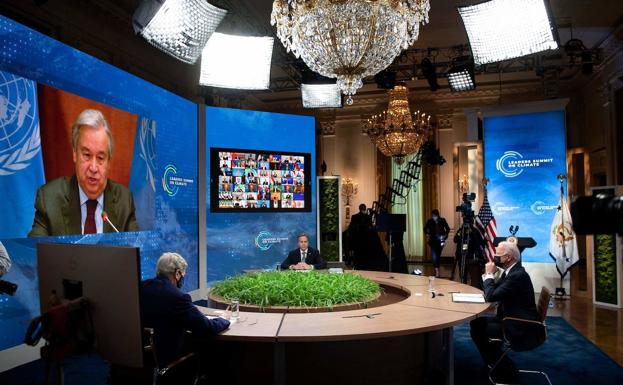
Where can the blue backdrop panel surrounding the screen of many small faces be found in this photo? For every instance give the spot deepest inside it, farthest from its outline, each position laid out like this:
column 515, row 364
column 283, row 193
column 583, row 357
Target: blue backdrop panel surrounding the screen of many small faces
column 237, row 241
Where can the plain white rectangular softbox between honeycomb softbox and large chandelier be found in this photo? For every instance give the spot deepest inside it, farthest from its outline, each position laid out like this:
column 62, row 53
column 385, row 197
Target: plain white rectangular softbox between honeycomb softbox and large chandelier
column 241, row 62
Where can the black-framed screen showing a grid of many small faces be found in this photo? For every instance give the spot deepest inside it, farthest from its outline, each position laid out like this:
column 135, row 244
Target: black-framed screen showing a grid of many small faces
column 259, row 180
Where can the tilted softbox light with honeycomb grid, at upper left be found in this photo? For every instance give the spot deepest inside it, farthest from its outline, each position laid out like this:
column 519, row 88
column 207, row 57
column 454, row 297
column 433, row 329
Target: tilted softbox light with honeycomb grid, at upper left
column 180, row 28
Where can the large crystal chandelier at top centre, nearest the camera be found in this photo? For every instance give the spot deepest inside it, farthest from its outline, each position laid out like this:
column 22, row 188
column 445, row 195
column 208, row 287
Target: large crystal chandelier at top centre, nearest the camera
column 348, row 39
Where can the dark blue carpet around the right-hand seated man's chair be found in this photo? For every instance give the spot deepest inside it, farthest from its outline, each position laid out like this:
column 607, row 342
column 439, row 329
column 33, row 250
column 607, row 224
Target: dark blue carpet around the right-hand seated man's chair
column 567, row 357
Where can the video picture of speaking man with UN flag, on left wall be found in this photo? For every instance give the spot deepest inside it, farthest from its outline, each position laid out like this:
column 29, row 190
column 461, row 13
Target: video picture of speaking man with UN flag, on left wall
column 60, row 151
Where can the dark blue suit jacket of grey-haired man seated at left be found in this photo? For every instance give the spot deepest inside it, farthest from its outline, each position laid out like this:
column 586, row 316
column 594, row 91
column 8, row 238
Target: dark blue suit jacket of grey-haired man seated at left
column 170, row 312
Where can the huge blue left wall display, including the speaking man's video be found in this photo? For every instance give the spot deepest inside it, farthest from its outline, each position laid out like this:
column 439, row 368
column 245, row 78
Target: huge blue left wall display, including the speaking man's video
column 48, row 175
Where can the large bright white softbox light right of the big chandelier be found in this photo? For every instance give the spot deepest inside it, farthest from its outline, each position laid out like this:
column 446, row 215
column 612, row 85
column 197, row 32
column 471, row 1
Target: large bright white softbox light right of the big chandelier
column 506, row 29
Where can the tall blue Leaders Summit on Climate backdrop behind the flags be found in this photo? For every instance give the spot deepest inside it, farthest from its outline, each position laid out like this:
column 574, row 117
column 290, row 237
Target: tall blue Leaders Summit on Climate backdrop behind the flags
column 523, row 156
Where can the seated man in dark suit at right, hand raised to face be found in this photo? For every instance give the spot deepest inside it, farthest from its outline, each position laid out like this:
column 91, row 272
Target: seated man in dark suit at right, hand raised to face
column 514, row 295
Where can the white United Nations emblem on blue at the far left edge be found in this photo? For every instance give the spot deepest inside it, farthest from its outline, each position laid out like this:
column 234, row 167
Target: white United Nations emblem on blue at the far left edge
column 19, row 123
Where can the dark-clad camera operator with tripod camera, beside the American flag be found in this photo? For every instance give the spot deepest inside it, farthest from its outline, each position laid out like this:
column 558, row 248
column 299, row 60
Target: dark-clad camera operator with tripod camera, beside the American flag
column 469, row 244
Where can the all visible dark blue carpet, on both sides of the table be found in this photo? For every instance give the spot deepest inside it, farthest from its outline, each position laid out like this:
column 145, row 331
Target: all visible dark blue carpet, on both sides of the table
column 567, row 356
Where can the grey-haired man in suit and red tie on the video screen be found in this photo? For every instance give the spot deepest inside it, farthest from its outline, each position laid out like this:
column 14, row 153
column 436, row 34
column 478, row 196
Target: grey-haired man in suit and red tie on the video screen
column 74, row 205
